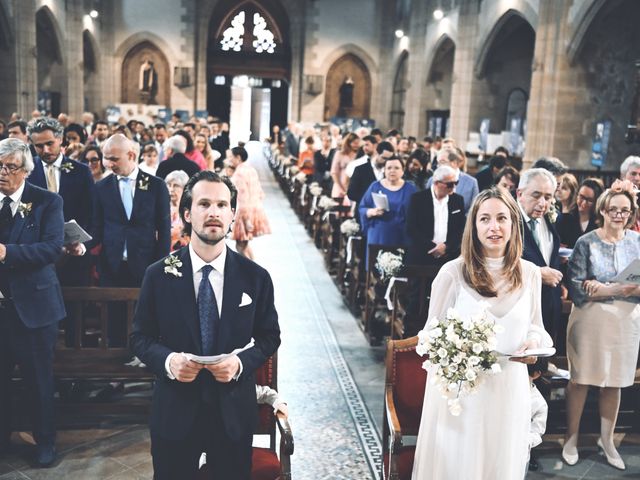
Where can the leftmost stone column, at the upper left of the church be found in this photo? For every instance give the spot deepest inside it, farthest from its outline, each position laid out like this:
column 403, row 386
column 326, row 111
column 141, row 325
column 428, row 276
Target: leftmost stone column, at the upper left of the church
column 25, row 54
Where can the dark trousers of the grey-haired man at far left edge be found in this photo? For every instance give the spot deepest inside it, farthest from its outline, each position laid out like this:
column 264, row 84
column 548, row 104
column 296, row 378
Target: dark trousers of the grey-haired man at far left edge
column 32, row 350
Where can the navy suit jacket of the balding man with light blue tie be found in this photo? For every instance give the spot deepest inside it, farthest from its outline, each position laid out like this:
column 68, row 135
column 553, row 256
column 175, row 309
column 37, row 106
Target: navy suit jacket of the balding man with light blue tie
column 147, row 232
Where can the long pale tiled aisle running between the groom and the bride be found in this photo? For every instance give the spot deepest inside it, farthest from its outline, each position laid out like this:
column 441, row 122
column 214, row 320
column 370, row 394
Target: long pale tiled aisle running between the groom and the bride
column 331, row 378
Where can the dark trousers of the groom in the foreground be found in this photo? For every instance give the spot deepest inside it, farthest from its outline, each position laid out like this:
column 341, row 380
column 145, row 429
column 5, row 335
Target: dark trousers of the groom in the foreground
column 226, row 459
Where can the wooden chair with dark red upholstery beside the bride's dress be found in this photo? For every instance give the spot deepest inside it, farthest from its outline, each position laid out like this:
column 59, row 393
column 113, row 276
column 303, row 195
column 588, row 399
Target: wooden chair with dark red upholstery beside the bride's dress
column 404, row 394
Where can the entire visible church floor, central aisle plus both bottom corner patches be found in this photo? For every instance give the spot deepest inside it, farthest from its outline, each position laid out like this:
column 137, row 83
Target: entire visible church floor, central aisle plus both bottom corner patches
column 331, row 378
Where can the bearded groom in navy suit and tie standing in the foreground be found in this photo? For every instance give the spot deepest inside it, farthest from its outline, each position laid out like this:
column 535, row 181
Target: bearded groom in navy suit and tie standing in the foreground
column 204, row 299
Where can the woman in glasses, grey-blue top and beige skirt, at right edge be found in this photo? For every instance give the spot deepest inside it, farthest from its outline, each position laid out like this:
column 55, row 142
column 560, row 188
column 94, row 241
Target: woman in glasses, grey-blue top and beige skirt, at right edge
column 603, row 333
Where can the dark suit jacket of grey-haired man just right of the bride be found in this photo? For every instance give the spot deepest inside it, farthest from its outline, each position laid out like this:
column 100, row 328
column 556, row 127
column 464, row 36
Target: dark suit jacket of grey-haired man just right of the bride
column 551, row 301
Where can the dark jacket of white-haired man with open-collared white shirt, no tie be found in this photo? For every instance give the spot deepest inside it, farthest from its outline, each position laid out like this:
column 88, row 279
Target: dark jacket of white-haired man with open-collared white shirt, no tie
column 420, row 224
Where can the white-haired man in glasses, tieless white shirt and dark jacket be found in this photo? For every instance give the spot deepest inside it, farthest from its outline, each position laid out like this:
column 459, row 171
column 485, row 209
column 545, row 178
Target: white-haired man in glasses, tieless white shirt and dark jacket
column 435, row 222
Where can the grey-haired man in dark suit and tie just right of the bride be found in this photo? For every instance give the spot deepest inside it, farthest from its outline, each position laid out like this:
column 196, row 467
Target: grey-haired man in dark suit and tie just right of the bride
column 541, row 241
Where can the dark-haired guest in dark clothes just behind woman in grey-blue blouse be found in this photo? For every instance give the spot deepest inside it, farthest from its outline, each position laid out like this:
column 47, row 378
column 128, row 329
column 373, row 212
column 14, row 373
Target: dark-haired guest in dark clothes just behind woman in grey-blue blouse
column 582, row 218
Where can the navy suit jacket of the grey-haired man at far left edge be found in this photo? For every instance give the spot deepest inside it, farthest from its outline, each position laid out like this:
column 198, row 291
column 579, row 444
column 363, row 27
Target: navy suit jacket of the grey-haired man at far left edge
column 34, row 245
